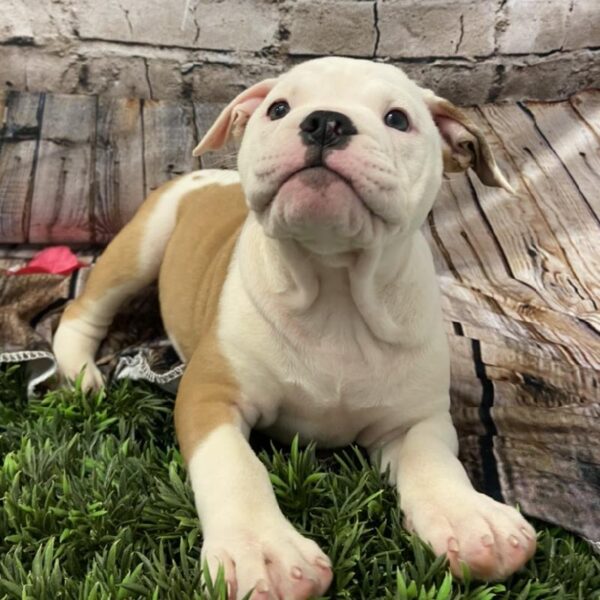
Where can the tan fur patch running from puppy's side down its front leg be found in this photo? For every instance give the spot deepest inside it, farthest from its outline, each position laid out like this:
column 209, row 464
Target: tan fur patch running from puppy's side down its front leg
column 193, row 272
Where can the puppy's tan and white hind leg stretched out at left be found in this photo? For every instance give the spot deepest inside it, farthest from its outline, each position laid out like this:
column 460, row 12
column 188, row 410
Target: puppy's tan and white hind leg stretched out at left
column 129, row 263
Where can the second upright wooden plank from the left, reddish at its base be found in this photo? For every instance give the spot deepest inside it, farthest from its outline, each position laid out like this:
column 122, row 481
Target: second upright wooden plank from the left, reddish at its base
column 64, row 179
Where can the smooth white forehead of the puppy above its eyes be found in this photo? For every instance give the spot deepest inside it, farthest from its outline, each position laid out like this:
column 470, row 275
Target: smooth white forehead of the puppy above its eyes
column 343, row 81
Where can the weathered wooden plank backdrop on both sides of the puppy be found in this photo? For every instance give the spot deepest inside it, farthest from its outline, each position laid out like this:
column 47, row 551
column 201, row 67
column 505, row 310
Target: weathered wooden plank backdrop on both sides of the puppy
column 520, row 275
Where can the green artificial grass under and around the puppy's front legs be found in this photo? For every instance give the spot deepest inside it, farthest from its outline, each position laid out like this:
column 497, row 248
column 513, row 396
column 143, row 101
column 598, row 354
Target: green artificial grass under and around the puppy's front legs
column 95, row 504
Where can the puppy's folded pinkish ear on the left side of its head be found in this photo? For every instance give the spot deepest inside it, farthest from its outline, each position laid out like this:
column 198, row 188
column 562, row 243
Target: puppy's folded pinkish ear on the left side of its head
column 232, row 120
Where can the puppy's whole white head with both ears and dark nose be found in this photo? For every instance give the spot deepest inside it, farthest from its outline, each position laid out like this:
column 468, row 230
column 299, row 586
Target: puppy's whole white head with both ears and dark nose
column 340, row 153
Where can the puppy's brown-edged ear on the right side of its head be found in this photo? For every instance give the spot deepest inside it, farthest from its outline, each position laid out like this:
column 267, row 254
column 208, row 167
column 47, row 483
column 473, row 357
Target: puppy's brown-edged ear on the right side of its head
column 463, row 143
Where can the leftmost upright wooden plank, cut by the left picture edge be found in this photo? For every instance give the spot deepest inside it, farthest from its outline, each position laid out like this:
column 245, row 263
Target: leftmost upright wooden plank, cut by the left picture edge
column 19, row 142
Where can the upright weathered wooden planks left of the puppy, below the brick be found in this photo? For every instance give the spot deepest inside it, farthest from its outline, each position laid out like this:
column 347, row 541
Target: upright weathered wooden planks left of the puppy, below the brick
column 73, row 169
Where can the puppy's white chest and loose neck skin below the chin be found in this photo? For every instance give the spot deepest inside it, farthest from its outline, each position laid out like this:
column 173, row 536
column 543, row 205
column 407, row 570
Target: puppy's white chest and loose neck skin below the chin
column 307, row 357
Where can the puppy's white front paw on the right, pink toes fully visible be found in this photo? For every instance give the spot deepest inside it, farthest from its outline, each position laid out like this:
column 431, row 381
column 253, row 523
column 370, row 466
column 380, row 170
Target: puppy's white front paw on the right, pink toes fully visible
column 493, row 539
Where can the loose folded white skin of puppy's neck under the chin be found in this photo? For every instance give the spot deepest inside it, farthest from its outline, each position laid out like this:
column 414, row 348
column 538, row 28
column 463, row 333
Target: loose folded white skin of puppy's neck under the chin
column 297, row 280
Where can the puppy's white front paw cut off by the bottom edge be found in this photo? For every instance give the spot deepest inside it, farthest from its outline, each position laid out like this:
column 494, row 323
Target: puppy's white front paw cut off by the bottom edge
column 277, row 562
